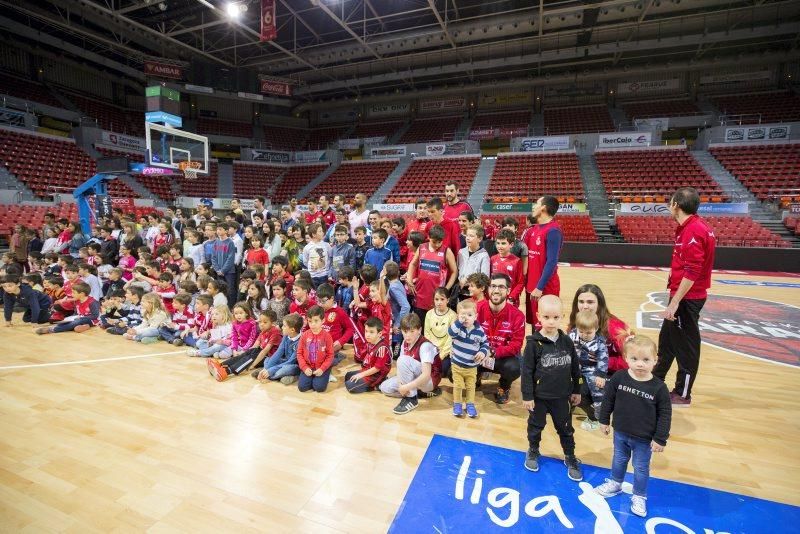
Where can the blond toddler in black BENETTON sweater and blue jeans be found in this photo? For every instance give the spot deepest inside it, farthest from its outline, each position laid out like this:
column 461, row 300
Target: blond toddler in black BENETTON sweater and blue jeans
column 642, row 417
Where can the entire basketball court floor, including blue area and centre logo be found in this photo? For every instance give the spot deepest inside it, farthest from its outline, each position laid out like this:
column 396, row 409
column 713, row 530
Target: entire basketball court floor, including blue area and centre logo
column 101, row 434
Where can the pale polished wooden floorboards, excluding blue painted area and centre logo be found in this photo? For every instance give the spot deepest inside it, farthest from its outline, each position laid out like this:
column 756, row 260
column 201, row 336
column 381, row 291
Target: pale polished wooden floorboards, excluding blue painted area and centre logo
column 155, row 443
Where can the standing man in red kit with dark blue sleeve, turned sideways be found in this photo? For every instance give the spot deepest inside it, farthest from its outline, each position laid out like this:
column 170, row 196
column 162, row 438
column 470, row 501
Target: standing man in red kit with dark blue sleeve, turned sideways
column 543, row 240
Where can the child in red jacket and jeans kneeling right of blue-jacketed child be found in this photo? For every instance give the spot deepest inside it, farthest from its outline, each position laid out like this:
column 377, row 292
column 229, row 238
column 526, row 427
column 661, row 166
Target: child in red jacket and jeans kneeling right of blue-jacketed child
column 314, row 353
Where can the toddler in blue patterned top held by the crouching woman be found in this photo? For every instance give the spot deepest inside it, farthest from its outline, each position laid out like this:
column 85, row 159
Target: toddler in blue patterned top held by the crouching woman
column 593, row 356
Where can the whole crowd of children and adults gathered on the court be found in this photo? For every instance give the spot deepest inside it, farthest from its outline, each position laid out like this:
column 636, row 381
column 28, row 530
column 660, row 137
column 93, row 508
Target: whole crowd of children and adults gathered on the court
column 438, row 296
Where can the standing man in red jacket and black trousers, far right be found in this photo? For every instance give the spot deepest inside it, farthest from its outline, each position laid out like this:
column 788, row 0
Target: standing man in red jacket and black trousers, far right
column 689, row 280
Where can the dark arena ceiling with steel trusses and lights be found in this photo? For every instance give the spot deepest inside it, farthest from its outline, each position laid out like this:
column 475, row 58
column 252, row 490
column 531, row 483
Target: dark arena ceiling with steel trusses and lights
column 332, row 48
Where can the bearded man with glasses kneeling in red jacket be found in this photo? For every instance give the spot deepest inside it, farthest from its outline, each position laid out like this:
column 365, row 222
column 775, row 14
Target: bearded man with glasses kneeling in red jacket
column 504, row 325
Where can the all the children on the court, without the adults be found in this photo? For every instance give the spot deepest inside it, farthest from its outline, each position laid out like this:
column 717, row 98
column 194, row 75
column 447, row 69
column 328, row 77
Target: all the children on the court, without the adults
column 226, row 299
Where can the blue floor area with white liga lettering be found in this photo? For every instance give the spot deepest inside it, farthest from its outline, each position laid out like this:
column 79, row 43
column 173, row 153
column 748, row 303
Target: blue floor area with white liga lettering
column 463, row 486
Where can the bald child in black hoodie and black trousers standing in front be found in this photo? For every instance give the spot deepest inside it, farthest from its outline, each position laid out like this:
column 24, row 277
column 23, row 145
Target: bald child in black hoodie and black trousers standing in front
column 551, row 380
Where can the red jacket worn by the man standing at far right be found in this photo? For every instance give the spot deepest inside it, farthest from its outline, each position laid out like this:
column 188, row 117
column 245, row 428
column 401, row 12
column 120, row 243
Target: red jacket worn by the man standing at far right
column 692, row 257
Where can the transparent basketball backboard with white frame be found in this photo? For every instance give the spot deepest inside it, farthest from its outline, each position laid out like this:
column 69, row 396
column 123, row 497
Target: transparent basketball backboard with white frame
column 167, row 147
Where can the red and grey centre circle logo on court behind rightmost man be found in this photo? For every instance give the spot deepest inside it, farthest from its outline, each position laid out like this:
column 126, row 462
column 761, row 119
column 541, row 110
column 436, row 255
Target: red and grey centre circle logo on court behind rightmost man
column 752, row 327
